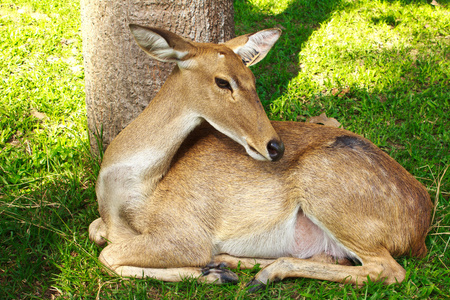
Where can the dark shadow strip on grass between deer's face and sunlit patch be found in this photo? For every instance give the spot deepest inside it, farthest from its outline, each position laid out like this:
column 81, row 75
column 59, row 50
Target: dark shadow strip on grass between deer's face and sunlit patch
column 298, row 21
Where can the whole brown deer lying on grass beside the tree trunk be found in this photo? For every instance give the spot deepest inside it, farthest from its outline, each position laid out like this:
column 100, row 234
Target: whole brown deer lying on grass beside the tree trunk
column 202, row 182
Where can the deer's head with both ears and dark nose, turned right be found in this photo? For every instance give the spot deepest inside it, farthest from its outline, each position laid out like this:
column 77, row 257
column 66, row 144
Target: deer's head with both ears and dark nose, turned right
column 215, row 84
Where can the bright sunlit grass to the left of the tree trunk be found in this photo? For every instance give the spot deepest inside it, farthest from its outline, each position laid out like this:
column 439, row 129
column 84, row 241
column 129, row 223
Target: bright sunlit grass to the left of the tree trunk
column 42, row 104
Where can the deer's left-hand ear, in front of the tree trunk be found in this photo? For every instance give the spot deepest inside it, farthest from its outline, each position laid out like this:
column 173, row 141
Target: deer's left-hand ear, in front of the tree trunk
column 161, row 44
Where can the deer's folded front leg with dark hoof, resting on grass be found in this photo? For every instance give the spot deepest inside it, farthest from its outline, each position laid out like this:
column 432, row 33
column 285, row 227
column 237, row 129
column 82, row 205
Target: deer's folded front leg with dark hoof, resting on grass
column 164, row 259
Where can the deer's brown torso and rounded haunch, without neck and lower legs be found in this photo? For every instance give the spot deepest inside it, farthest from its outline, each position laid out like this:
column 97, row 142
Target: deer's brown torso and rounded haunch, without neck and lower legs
column 342, row 182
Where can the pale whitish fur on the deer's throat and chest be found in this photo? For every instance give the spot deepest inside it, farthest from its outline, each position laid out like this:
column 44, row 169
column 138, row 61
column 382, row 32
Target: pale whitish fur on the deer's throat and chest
column 131, row 178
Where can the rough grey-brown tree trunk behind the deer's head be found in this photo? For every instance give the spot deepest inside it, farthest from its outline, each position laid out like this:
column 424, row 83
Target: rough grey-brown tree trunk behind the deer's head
column 120, row 78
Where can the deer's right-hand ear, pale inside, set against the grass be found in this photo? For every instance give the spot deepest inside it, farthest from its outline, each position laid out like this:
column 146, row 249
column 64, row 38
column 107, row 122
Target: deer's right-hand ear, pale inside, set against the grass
column 252, row 48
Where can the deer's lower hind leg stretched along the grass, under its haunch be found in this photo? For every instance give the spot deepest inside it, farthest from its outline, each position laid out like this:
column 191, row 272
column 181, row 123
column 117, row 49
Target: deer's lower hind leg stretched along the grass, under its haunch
column 379, row 267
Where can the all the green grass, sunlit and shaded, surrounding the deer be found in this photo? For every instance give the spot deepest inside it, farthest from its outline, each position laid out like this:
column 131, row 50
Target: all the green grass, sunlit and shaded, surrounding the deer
column 381, row 68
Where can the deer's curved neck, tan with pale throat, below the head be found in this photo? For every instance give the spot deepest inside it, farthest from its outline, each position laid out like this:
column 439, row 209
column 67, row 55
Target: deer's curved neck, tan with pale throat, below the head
column 149, row 143
